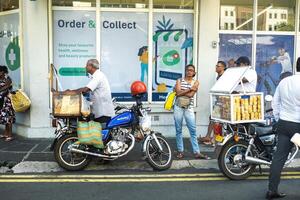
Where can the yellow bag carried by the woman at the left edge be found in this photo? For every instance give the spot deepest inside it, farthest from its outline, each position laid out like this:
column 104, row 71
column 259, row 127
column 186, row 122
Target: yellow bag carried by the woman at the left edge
column 20, row 101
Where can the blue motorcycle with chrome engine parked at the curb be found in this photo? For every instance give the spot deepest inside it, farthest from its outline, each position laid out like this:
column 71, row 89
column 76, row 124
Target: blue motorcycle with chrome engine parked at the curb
column 119, row 136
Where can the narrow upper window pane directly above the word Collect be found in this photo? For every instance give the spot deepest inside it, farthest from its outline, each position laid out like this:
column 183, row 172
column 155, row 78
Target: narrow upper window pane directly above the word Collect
column 125, row 3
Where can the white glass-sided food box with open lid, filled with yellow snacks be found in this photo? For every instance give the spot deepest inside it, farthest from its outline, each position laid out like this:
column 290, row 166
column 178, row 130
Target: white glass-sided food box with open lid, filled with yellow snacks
column 235, row 108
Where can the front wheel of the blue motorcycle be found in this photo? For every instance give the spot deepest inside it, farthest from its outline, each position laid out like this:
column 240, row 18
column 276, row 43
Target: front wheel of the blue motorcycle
column 159, row 159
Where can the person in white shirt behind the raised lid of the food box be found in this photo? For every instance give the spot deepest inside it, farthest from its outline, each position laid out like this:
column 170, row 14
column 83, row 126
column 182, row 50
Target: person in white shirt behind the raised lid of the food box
column 250, row 77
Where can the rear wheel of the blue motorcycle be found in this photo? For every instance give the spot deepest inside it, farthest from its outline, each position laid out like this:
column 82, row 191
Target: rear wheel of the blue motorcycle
column 67, row 159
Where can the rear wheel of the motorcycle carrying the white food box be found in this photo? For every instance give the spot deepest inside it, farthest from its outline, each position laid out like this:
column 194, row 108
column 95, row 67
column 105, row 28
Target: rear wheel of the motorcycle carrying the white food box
column 232, row 162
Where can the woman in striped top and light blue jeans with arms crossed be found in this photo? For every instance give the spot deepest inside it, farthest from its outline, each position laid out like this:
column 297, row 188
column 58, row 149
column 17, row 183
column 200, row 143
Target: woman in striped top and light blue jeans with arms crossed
column 186, row 89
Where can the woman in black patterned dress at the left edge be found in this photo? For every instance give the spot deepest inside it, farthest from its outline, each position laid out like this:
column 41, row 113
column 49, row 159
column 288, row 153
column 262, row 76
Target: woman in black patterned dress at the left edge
column 7, row 113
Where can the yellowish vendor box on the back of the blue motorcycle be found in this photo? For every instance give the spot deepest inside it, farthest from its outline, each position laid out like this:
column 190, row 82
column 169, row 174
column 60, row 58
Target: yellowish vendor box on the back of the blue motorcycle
column 69, row 105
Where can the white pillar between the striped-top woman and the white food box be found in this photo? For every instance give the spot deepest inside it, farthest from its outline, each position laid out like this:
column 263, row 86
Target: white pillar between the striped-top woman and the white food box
column 207, row 58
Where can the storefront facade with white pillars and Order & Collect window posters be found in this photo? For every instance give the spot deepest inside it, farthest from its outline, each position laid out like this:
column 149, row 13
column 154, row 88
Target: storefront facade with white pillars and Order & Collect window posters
column 147, row 40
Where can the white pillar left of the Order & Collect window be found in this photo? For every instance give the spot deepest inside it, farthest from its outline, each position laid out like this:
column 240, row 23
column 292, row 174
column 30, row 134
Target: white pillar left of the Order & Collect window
column 36, row 122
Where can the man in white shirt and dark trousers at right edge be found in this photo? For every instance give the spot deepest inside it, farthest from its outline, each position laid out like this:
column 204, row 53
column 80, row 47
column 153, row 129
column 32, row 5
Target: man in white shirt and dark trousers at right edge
column 286, row 110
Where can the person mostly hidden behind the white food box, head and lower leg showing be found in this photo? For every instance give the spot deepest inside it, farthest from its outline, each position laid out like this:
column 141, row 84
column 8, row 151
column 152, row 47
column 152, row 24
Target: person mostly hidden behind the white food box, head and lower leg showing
column 220, row 69
